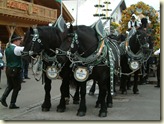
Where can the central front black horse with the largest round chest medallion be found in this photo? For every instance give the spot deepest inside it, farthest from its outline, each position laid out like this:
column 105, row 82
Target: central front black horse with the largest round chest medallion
column 93, row 56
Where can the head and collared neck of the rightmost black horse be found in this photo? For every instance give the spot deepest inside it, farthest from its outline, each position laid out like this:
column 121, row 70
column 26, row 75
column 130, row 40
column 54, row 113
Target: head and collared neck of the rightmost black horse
column 138, row 46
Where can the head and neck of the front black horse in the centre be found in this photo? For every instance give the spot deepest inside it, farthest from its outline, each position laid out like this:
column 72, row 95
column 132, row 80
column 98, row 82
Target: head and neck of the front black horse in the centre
column 80, row 40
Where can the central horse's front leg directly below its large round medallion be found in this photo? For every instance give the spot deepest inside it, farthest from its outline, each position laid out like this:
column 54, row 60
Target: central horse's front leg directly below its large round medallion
column 82, row 106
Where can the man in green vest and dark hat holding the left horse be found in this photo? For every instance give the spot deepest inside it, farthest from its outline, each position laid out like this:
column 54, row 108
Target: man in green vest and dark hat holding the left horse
column 13, row 71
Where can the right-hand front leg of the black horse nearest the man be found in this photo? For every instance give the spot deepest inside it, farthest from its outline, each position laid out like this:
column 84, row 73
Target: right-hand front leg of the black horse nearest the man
column 64, row 89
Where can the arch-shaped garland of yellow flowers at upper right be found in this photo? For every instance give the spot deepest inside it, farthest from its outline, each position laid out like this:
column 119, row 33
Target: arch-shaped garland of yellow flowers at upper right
column 141, row 9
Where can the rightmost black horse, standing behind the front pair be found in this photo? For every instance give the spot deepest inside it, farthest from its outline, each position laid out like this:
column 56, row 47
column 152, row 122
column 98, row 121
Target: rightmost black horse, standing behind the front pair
column 137, row 50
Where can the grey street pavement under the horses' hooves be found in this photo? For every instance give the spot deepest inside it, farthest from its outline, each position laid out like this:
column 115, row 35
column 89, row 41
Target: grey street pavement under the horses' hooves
column 144, row 106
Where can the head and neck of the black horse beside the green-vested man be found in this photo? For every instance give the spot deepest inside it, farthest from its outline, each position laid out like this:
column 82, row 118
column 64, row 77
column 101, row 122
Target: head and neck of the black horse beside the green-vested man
column 42, row 38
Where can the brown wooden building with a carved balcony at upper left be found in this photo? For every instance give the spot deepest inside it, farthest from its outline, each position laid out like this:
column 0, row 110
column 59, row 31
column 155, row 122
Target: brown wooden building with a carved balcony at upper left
column 18, row 15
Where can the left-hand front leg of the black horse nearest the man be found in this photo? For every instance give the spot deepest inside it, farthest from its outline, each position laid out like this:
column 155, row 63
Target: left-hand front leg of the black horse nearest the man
column 47, row 99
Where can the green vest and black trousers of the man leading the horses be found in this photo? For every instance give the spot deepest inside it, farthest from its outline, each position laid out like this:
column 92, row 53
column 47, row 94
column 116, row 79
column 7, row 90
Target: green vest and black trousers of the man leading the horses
column 13, row 72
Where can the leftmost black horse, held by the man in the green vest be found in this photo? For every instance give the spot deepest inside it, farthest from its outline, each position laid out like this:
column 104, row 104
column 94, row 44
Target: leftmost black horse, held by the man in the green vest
column 43, row 41
